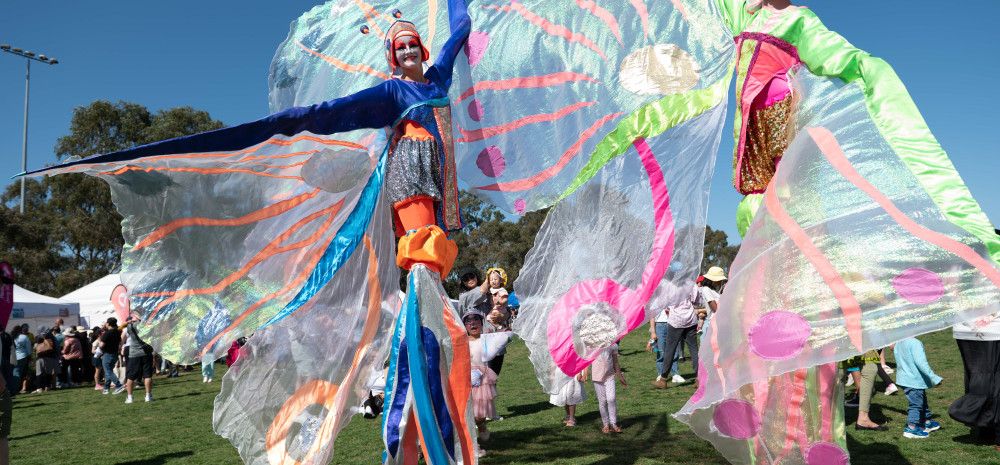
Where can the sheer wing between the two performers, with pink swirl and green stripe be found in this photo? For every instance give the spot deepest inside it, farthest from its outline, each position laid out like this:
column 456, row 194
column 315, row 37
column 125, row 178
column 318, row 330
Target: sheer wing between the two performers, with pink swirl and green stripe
column 612, row 112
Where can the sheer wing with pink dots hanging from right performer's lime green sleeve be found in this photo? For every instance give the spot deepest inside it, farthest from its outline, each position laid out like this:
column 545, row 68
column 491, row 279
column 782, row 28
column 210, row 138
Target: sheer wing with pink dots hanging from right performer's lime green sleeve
column 854, row 247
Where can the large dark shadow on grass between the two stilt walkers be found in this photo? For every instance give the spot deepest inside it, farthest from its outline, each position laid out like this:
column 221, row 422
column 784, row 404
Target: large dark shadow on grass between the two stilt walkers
column 645, row 437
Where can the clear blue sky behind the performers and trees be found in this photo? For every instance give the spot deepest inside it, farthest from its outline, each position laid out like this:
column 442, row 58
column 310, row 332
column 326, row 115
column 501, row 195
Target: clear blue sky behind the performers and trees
column 214, row 55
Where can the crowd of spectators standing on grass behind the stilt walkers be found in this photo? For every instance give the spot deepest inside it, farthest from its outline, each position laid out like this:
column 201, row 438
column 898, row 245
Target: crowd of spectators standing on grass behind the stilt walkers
column 72, row 356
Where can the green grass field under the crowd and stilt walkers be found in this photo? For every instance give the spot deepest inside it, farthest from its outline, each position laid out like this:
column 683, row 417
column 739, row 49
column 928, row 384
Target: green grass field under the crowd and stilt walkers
column 81, row 426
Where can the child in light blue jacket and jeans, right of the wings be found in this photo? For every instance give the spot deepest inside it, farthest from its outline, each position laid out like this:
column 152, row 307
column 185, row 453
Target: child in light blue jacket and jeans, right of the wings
column 915, row 376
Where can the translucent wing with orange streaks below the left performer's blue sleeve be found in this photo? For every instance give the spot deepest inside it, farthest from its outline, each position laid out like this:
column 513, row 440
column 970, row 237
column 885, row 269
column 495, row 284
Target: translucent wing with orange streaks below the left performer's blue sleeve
column 222, row 231
